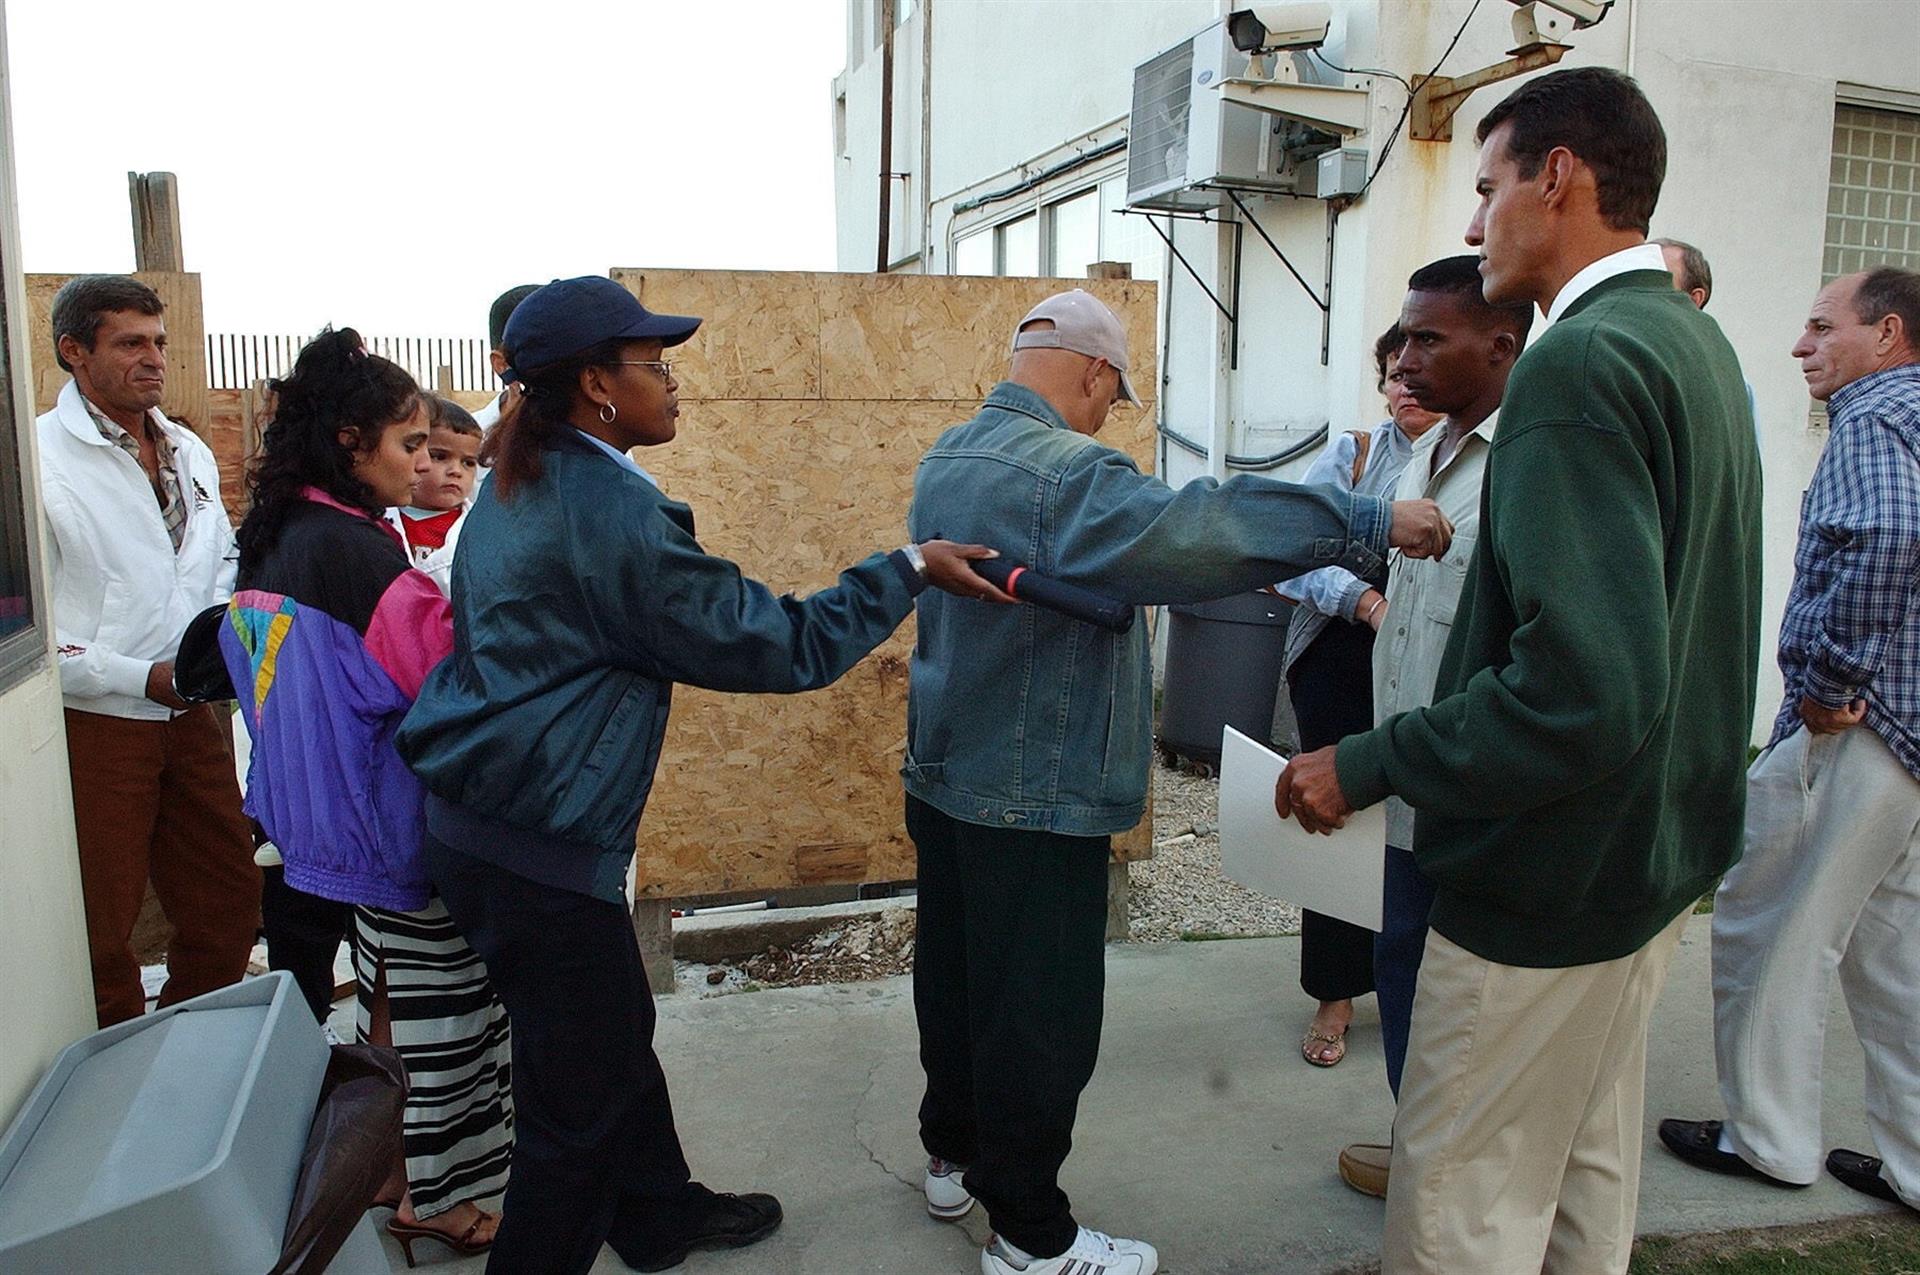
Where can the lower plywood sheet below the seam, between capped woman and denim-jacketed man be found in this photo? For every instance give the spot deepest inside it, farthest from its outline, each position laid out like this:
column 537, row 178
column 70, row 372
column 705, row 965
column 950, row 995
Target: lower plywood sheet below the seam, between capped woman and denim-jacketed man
column 790, row 790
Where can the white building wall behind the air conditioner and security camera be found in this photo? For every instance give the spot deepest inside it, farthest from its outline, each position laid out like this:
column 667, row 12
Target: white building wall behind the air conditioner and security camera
column 1746, row 93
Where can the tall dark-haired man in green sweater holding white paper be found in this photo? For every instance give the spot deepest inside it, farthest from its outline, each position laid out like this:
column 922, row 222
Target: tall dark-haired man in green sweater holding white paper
column 1579, row 781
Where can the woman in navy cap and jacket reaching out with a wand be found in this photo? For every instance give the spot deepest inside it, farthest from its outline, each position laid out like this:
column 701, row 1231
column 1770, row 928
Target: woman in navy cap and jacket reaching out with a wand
column 581, row 598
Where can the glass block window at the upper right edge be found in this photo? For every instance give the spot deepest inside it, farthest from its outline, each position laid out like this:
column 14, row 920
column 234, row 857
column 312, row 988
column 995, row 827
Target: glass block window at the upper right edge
column 1873, row 204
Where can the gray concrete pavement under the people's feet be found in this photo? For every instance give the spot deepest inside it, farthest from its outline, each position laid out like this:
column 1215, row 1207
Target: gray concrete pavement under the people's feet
column 1203, row 1130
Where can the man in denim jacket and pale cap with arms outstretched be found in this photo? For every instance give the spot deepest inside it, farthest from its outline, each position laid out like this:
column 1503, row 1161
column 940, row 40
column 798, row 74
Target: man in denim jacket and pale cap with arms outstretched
column 1028, row 748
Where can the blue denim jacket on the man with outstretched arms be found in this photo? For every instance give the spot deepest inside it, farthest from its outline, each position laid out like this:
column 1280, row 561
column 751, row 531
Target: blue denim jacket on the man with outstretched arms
column 1024, row 719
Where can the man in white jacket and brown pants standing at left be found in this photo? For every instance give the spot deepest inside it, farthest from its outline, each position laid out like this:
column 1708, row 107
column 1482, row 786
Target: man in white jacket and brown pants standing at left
column 139, row 544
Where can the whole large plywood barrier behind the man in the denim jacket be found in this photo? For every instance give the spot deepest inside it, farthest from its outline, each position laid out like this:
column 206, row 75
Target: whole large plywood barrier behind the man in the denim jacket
column 798, row 450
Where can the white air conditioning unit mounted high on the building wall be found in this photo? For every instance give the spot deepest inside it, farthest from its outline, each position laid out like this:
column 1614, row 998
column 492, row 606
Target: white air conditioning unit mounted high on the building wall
column 1184, row 137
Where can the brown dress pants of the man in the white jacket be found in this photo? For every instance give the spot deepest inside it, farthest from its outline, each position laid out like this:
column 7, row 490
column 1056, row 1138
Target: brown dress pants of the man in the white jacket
column 160, row 800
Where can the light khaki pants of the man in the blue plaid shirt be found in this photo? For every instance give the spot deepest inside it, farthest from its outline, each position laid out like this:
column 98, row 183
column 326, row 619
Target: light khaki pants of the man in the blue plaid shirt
column 1831, row 882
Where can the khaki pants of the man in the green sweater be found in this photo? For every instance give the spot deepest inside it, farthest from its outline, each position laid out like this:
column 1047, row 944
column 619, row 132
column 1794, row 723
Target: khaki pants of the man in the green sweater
column 1518, row 1136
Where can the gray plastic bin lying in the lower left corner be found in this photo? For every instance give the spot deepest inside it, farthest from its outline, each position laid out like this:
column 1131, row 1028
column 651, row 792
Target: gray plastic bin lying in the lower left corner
column 170, row 1143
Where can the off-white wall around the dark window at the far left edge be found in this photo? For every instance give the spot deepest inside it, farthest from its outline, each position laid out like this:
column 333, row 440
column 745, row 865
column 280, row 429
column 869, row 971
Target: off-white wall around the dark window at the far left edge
column 47, row 996
